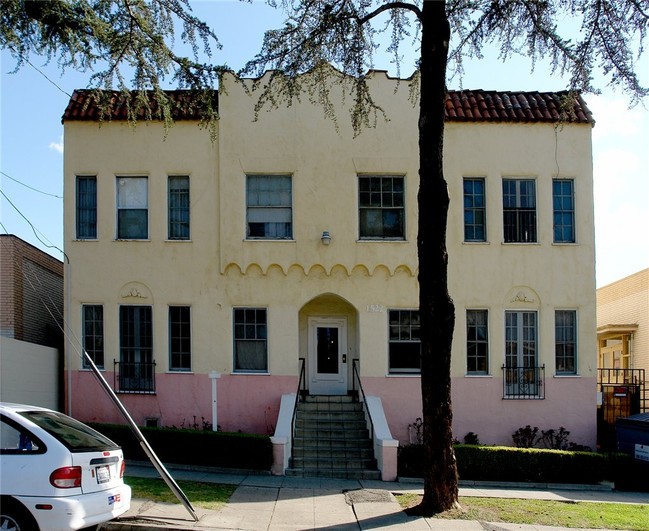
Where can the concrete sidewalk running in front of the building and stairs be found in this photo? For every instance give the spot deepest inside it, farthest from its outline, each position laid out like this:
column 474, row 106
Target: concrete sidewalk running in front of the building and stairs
column 277, row 503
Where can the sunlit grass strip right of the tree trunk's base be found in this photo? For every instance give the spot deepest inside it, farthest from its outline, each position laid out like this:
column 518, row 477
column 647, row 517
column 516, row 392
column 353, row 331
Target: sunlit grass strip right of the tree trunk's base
column 543, row 512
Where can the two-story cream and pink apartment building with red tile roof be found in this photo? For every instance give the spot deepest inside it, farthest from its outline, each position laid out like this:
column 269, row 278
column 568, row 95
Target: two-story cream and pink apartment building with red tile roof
column 290, row 238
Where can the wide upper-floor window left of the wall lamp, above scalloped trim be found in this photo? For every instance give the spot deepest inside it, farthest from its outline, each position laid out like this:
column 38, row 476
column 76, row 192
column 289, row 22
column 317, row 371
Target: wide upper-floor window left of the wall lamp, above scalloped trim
column 269, row 211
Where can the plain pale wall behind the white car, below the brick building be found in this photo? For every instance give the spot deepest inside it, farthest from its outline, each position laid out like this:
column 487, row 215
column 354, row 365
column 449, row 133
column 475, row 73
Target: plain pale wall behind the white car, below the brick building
column 29, row 374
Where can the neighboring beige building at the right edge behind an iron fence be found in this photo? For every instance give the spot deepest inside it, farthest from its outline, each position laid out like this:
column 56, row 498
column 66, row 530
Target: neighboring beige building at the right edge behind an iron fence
column 623, row 348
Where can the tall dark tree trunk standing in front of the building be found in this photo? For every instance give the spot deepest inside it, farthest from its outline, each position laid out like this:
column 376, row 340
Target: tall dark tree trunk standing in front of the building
column 435, row 305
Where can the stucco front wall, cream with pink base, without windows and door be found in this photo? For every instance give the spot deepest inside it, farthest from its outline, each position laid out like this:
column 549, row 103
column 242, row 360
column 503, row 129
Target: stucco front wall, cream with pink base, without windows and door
column 360, row 280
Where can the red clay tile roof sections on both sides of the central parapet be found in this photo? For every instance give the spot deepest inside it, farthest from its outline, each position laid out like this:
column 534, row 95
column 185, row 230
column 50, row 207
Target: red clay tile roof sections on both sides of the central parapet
column 460, row 106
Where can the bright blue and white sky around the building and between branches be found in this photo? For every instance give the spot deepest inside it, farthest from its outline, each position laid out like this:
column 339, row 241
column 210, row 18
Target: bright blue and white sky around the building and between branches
column 33, row 99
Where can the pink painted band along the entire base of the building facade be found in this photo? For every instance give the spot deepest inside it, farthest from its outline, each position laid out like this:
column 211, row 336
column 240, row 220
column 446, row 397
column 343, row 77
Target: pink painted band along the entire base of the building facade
column 250, row 403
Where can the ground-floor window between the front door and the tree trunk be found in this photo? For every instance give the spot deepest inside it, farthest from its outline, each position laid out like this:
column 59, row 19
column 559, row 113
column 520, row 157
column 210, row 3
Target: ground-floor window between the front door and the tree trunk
column 404, row 341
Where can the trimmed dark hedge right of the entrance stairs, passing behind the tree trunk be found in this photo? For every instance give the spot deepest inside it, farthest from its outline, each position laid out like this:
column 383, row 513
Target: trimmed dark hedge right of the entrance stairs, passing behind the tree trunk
column 503, row 463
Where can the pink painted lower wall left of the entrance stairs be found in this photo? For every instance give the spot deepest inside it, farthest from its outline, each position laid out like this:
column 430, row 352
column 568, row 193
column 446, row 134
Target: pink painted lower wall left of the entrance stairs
column 246, row 403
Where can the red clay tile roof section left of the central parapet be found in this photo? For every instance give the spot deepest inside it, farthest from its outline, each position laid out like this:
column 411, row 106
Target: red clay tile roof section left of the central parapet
column 83, row 106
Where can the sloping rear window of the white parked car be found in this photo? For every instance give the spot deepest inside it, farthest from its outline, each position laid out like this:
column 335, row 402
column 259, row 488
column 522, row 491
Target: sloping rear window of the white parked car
column 75, row 435
